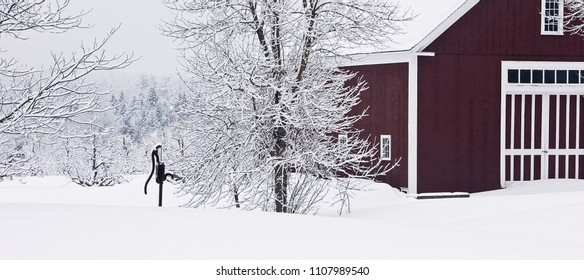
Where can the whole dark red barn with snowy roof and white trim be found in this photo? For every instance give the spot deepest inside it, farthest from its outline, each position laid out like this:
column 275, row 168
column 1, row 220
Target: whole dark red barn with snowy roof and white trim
column 481, row 94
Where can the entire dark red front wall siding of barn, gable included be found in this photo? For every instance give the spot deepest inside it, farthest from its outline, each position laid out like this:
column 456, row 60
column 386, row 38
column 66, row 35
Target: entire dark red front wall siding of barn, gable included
column 460, row 91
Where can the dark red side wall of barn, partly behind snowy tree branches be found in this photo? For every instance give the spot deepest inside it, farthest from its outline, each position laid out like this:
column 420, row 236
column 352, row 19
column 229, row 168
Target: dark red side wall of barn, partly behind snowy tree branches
column 387, row 100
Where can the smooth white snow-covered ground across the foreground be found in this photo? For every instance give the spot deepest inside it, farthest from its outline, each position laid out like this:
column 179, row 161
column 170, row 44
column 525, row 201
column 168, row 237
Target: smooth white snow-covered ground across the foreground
column 51, row 218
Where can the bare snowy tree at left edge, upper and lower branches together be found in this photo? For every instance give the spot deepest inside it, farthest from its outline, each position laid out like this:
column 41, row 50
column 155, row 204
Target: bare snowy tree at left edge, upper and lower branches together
column 38, row 99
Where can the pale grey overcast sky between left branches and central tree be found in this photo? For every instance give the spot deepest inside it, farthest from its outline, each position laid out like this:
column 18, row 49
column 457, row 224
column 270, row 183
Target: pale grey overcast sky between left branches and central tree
column 139, row 32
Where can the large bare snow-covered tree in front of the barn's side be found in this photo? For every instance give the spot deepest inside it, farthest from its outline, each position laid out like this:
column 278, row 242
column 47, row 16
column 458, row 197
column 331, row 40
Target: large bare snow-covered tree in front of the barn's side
column 266, row 102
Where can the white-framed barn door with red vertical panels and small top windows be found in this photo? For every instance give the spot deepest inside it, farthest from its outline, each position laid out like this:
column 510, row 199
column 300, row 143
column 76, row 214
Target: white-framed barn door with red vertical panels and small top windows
column 541, row 119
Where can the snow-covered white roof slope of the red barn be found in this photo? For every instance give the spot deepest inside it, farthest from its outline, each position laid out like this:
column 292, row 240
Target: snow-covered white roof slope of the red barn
column 431, row 19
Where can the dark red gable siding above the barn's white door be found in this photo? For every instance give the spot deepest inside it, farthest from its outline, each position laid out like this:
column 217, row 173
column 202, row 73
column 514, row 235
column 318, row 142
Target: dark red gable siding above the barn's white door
column 504, row 27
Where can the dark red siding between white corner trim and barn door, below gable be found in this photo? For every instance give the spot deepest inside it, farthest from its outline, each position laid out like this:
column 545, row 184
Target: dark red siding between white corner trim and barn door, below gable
column 458, row 126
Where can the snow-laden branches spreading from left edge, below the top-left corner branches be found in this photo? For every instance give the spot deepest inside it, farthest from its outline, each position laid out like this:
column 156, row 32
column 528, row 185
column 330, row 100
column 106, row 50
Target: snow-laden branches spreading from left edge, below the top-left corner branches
column 38, row 101
